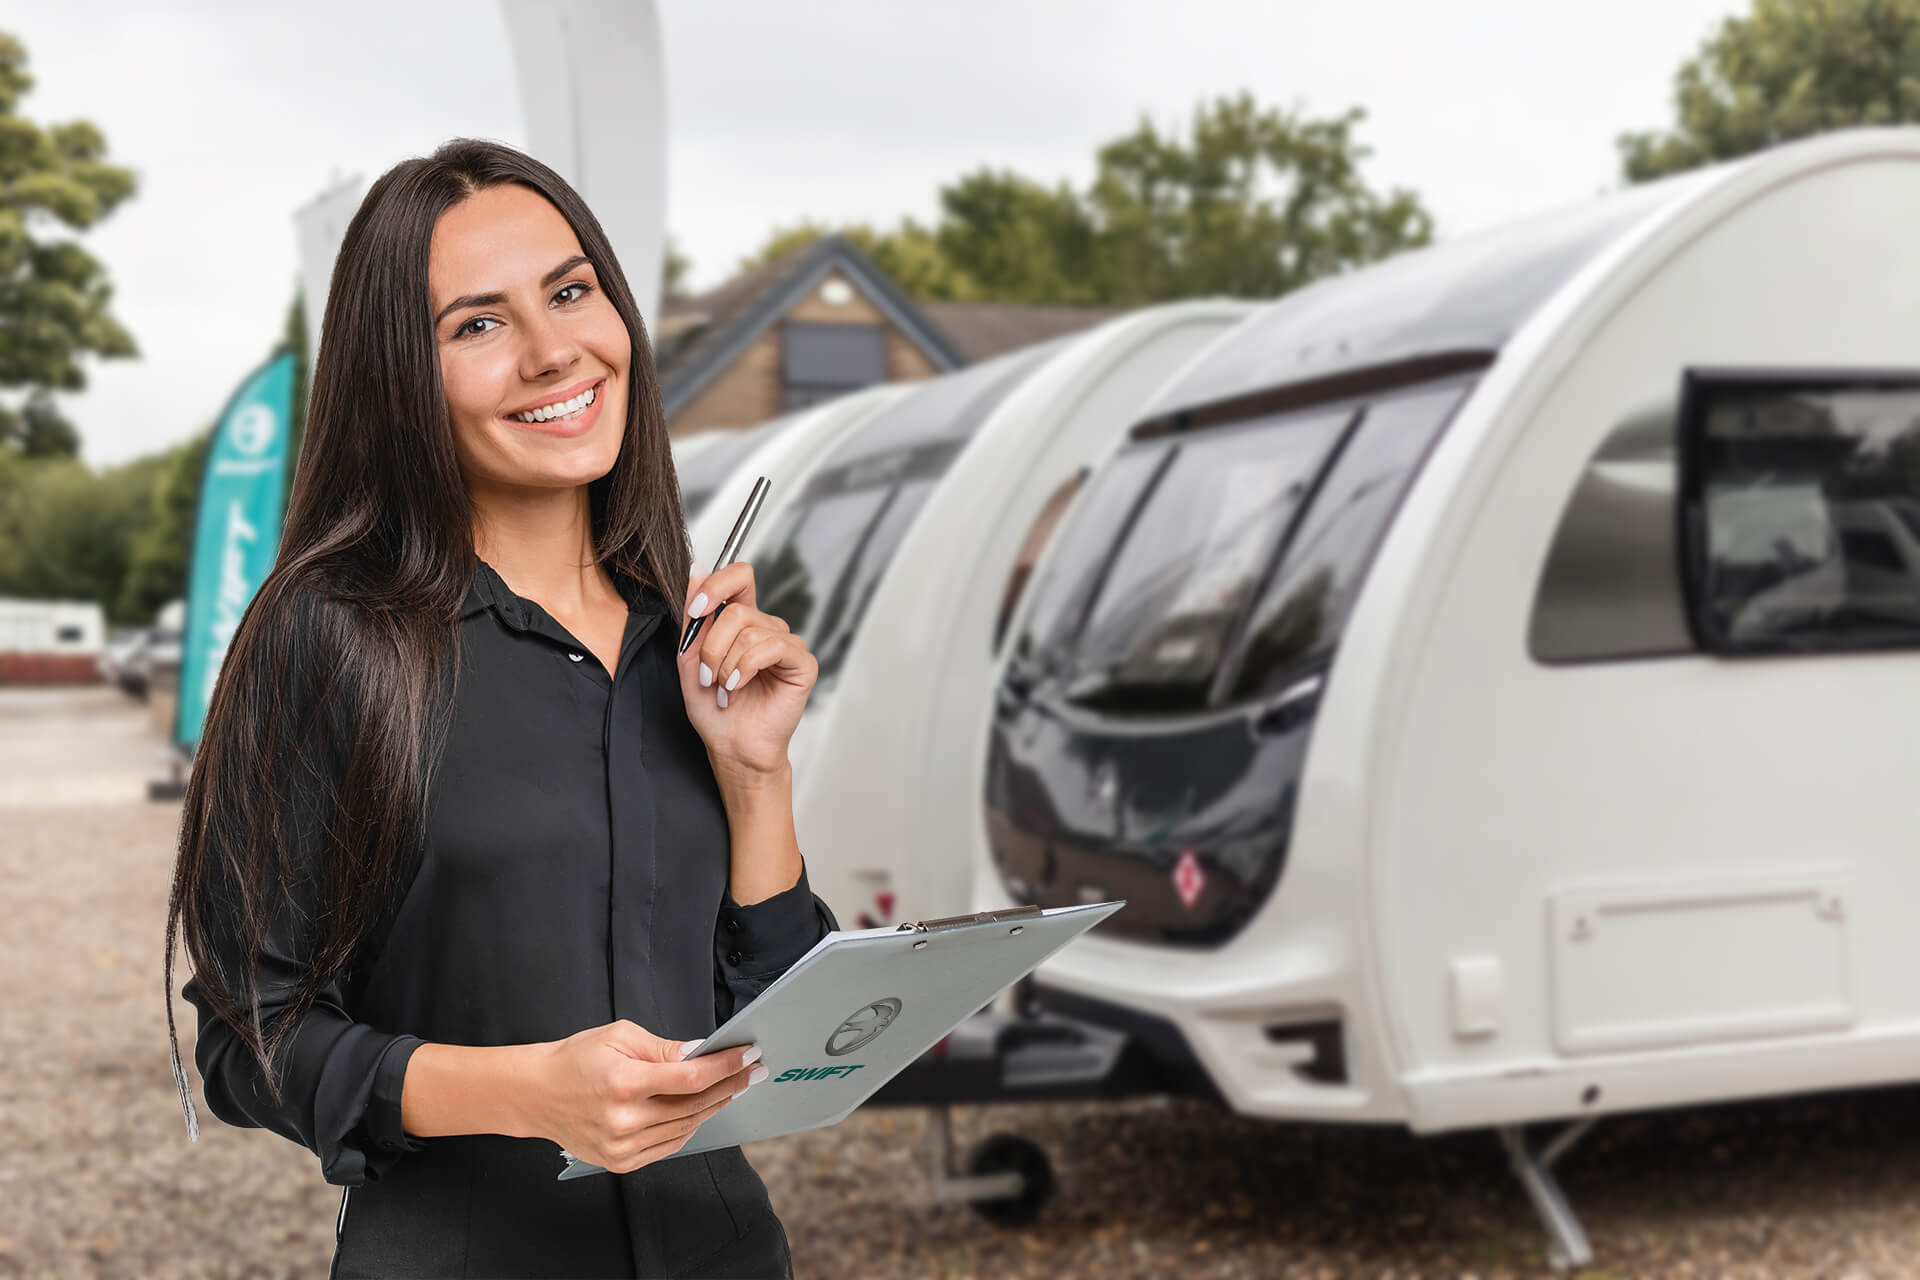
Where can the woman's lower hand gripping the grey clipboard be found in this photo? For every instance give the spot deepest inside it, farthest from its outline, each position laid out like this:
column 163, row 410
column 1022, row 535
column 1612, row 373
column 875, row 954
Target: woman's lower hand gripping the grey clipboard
column 619, row 1097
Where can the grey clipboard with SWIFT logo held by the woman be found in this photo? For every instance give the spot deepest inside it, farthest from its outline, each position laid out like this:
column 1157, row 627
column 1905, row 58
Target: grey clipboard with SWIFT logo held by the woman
column 861, row 1007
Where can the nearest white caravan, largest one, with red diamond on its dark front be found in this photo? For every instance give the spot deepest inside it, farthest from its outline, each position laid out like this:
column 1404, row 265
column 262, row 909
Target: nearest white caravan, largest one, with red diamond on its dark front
column 1491, row 676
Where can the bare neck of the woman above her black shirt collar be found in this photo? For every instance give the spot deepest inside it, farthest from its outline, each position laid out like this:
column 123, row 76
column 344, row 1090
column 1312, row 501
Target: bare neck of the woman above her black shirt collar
column 540, row 542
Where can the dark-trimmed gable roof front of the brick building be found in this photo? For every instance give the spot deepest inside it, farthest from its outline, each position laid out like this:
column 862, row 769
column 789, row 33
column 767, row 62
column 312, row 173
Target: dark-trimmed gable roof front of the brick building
column 700, row 337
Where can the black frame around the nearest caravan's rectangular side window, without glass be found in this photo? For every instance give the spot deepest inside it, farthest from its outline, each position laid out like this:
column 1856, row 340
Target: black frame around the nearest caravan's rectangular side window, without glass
column 1698, row 385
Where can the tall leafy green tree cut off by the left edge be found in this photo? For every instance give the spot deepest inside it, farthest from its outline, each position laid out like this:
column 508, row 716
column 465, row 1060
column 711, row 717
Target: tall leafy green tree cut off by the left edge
column 53, row 293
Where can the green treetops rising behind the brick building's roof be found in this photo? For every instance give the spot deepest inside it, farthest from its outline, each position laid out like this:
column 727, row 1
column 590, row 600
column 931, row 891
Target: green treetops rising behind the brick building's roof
column 1253, row 202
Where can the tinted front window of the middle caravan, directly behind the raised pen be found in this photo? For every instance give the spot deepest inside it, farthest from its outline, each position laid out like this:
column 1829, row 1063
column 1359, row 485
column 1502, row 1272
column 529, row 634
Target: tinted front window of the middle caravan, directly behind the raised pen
column 832, row 548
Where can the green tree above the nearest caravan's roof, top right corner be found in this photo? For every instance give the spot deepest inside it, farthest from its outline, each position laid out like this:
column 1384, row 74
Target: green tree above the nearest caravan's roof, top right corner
column 1787, row 70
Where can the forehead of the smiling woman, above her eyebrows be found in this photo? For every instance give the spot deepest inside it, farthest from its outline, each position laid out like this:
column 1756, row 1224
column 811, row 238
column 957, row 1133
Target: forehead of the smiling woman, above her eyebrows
column 496, row 241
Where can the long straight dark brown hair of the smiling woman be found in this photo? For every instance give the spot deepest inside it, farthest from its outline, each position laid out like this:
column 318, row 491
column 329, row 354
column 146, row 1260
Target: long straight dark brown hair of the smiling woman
column 308, row 797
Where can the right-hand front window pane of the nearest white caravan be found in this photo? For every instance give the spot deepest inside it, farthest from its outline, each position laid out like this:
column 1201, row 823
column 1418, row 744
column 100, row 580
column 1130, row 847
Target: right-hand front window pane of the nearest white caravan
column 1301, row 613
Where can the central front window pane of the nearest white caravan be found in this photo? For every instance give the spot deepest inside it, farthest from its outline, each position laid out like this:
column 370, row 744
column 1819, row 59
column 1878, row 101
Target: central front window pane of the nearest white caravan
column 1193, row 556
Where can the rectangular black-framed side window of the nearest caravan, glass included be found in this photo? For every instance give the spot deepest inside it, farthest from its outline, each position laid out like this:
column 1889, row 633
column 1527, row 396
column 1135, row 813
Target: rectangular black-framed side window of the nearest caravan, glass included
column 1802, row 502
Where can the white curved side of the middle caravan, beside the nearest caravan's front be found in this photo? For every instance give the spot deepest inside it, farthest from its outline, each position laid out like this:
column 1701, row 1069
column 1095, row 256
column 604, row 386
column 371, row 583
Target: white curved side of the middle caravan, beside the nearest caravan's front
column 921, row 663
